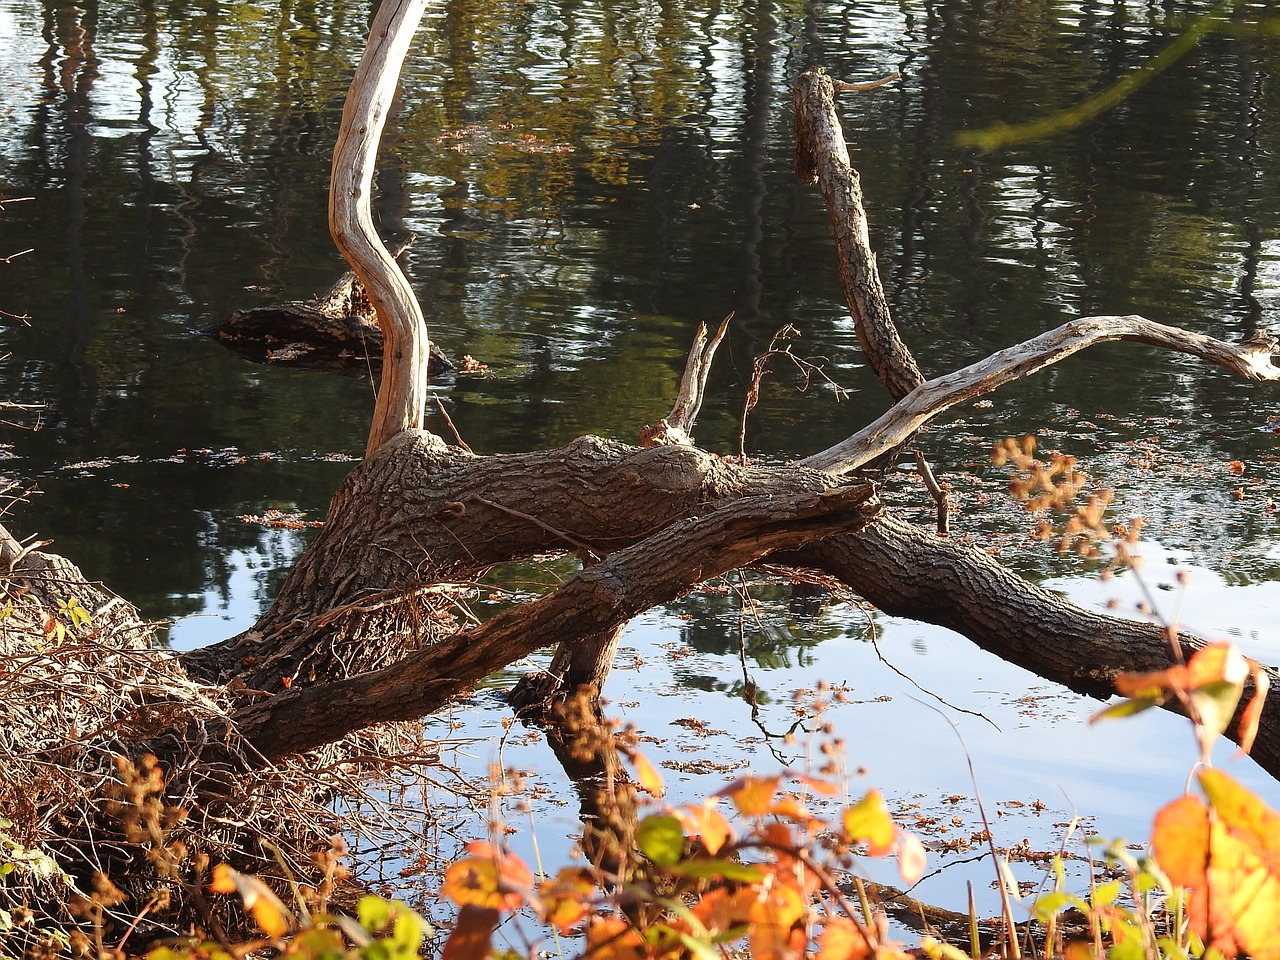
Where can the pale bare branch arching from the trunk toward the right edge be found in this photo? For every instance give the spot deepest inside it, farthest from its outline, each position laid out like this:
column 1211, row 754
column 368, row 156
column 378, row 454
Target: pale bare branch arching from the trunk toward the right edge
column 1251, row 359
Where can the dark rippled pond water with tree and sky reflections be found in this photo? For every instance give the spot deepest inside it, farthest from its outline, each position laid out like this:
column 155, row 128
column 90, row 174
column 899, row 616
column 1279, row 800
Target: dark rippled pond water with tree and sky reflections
column 588, row 184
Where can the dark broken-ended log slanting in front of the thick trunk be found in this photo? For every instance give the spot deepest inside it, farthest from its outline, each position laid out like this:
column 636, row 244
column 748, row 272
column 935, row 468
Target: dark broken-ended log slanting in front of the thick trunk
column 601, row 598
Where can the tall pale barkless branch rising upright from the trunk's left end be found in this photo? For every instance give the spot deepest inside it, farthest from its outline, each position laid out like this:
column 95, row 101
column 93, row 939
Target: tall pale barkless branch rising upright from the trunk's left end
column 403, row 395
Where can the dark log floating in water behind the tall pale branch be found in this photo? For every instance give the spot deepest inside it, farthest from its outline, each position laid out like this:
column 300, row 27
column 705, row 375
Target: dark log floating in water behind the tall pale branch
column 337, row 331
